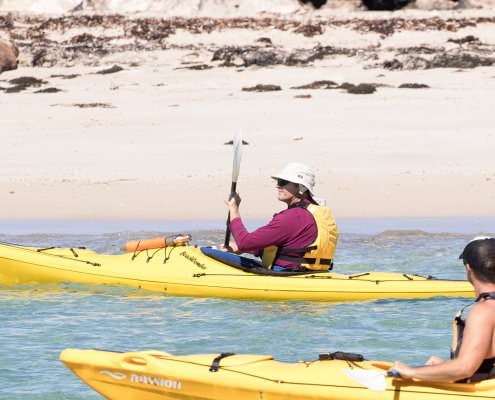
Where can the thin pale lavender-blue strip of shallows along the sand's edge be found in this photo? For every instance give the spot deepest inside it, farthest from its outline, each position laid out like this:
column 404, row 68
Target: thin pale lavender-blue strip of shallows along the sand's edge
column 400, row 227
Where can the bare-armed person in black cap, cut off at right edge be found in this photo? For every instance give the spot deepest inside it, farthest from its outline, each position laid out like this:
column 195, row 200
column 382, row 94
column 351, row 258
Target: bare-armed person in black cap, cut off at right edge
column 473, row 347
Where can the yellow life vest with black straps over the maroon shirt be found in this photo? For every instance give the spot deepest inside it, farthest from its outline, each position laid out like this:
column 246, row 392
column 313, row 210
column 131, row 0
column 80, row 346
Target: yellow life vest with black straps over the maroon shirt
column 318, row 255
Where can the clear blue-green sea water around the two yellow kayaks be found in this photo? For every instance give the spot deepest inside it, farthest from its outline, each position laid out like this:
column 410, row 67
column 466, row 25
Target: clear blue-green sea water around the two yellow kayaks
column 38, row 322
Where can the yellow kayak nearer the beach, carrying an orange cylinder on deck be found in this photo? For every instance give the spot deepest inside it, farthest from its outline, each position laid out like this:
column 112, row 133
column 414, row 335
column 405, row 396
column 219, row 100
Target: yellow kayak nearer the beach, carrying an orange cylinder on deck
column 205, row 272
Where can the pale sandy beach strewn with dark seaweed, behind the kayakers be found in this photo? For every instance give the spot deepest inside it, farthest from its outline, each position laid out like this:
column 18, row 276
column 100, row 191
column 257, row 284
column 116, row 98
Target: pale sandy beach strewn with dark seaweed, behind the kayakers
column 127, row 116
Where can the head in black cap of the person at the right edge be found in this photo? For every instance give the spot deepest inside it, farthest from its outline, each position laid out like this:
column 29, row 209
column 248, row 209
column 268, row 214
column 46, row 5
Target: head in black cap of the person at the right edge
column 480, row 255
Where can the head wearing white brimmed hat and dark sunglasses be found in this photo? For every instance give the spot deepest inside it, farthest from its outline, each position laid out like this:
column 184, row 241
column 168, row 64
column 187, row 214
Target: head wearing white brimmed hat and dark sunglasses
column 296, row 181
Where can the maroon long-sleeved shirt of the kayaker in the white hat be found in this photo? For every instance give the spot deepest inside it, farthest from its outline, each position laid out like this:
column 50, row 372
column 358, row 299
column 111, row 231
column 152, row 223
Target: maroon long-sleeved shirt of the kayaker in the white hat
column 294, row 227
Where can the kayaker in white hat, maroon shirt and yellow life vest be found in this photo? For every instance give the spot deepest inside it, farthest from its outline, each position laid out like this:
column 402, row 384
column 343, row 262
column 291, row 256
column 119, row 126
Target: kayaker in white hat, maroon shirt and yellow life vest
column 302, row 237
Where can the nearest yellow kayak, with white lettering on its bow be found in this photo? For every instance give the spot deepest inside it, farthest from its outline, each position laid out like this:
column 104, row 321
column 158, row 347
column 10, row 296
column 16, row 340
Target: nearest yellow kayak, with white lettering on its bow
column 154, row 375
